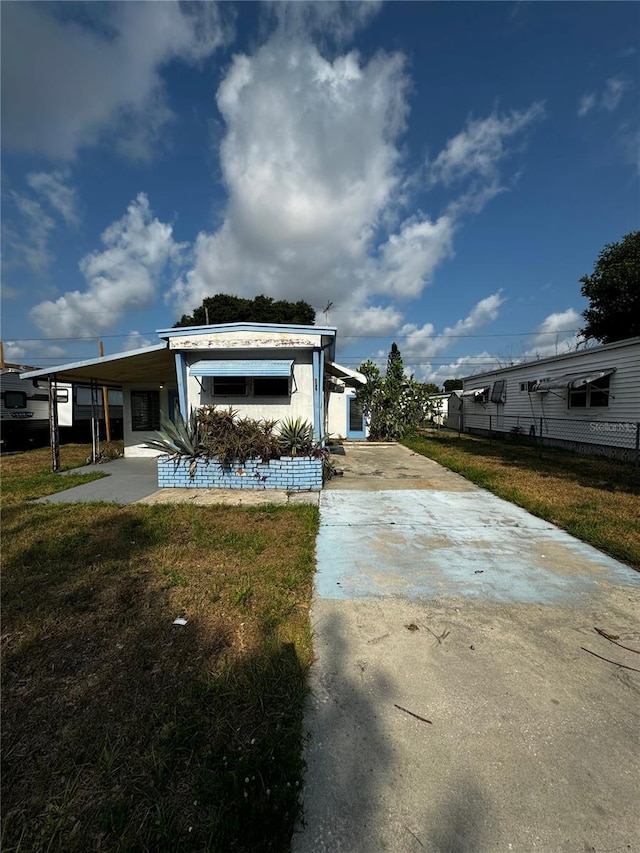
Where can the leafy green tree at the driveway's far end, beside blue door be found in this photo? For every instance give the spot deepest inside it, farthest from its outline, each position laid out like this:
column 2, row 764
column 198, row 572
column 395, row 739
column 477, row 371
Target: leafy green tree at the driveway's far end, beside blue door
column 395, row 404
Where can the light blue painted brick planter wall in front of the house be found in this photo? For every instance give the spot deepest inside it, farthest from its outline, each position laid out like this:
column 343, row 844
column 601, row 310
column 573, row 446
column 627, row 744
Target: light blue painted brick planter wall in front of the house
column 298, row 474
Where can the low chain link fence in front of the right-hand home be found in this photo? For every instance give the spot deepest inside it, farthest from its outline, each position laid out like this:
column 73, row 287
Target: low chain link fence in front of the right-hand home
column 616, row 439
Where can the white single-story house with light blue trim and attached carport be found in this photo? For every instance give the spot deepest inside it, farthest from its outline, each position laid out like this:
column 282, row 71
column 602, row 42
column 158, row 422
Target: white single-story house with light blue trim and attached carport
column 262, row 370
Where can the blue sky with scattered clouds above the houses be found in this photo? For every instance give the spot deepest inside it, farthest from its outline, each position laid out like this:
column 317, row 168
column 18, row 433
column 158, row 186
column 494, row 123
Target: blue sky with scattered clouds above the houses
column 443, row 173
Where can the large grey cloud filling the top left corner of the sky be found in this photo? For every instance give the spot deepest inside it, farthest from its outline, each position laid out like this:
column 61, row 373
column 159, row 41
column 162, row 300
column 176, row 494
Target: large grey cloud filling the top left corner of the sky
column 66, row 83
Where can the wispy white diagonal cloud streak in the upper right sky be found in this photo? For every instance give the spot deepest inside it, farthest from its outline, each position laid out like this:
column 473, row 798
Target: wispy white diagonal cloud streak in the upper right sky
column 477, row 151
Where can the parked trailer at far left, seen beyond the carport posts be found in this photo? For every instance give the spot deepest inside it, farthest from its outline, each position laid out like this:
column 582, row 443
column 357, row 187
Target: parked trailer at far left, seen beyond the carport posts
column 24, row 410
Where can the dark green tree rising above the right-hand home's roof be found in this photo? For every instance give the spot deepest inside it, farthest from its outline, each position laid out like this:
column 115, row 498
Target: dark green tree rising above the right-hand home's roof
column 613, row 291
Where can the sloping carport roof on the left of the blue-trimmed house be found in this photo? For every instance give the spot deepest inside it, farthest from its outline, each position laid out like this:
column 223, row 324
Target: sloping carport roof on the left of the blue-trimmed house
column 155, row 364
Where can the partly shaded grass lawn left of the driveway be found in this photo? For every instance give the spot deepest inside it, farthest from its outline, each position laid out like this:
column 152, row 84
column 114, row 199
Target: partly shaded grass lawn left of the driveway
column 121, row 730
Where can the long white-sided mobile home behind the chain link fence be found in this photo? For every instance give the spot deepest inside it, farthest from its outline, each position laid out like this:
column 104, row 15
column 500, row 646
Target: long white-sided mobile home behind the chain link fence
column 587, row 400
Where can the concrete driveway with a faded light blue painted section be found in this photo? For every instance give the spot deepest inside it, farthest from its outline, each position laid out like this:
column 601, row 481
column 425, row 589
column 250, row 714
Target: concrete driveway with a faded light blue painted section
column 453, row 705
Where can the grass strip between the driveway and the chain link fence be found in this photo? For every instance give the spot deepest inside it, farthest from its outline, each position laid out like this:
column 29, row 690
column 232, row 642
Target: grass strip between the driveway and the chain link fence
column 595, row 499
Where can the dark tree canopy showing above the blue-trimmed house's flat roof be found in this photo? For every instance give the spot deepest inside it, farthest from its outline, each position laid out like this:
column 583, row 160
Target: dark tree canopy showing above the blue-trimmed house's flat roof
column 225, row 308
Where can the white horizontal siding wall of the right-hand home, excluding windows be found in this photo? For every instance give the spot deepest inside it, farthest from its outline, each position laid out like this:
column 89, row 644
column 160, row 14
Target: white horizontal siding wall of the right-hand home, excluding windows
column 531, row 406
